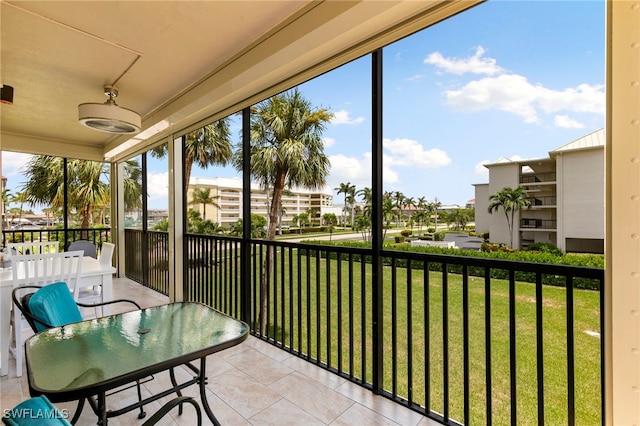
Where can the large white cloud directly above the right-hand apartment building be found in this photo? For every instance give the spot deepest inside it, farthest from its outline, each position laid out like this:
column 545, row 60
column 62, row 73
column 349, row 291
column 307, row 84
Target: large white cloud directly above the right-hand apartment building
column 515, row 94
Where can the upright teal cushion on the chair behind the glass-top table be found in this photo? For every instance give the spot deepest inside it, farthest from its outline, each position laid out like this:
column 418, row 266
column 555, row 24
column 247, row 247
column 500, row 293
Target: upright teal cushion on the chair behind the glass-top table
column 54, row 305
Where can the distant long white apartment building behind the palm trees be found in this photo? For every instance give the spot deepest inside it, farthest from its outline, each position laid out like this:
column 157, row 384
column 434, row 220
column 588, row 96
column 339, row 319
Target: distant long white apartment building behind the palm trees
column 227, row 195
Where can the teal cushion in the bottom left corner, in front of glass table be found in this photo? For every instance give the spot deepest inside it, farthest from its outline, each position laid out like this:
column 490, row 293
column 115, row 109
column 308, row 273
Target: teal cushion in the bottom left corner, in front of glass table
column 37, row 411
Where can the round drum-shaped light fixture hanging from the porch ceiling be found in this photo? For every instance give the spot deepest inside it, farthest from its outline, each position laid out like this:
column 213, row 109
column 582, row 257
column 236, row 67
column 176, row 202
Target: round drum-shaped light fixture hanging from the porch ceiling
column 109, row 117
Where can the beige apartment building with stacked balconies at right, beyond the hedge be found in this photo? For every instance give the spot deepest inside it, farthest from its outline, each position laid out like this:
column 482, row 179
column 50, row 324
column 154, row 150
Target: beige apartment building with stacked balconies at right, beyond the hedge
column 567, row 193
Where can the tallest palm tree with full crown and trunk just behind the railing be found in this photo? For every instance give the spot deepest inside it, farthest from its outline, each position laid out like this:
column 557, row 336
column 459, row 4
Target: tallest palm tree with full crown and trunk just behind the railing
column 286, row 151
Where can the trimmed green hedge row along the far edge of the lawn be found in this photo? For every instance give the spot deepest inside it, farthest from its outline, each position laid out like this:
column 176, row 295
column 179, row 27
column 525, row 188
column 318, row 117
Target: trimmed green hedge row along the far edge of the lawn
column 578, row 260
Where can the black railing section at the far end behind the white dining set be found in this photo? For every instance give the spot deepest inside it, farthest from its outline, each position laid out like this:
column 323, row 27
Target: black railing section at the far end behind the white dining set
column 65, row 236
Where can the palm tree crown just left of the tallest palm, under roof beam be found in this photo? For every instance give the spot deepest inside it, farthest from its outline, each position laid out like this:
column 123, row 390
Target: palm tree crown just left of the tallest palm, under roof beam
column 210, row 145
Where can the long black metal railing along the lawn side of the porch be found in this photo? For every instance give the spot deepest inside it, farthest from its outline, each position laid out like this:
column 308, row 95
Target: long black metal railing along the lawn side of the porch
column 464, row 340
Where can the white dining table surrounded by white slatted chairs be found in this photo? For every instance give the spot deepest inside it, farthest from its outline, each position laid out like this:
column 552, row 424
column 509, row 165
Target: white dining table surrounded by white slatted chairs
column 93, row 273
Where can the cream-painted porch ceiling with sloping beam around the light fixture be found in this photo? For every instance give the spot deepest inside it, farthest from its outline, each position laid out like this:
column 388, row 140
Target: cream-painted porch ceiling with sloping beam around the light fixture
column 174, row 62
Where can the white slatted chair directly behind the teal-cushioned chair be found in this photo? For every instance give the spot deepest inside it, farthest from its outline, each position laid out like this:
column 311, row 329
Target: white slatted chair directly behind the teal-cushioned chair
column 40, row 269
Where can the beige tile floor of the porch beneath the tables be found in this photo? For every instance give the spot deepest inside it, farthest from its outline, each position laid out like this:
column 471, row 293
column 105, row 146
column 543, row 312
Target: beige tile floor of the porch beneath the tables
column 253, row 383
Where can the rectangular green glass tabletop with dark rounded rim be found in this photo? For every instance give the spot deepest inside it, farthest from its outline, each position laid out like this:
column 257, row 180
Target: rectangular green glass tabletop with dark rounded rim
column 91, row 357
